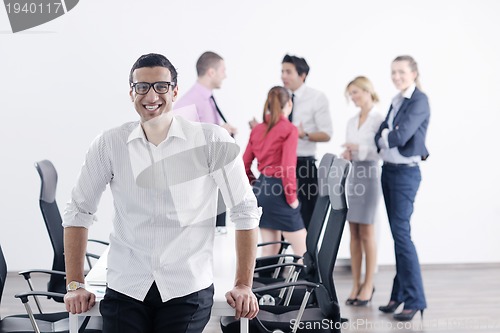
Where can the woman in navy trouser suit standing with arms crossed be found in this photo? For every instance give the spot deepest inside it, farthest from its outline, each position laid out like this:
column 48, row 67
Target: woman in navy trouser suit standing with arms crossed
column 401, row 140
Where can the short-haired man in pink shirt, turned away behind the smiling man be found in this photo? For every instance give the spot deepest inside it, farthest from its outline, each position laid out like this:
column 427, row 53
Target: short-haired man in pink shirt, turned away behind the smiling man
column 211, row 70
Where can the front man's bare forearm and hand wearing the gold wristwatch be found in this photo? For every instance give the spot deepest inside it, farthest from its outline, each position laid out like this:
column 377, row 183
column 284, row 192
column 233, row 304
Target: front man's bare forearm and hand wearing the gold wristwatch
column 75, row 245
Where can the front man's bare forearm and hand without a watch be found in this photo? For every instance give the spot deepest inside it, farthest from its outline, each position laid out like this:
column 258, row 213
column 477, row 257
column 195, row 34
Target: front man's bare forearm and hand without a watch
column 241, row 296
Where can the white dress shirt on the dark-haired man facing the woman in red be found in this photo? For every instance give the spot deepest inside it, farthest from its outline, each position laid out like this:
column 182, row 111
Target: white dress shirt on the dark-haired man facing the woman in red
column 310, row 107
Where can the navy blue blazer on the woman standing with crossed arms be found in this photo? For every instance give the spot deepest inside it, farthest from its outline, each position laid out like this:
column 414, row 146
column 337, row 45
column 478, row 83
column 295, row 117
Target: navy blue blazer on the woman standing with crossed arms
column 409, row 126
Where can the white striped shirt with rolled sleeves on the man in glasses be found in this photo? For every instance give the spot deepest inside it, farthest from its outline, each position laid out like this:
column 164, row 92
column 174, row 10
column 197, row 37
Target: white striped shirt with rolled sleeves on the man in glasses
column 165, row 203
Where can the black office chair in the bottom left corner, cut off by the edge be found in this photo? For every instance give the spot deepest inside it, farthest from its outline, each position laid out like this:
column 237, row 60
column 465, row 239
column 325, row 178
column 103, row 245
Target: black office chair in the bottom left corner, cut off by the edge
column 56, row 322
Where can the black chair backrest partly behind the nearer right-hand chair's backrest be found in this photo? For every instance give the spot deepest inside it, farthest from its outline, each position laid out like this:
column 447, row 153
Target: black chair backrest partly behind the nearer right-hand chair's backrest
column 318, row 217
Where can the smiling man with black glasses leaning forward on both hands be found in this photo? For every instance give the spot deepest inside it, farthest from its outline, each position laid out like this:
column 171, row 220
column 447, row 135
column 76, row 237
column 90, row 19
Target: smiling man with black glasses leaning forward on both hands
column 163, row 172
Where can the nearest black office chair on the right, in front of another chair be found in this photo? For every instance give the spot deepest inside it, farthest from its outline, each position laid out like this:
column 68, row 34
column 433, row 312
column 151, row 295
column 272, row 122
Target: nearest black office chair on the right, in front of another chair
column 306, row 318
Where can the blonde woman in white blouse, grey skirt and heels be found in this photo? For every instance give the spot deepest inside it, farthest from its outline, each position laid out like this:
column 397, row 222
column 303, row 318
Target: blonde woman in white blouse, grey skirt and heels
column 364, row 186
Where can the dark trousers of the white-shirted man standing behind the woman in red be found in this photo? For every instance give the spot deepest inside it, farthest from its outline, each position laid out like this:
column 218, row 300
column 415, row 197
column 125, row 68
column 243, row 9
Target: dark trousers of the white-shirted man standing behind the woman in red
column 307, row 190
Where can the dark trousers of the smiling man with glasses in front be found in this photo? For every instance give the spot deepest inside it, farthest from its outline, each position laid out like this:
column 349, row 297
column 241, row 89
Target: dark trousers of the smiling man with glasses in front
column 123, row 314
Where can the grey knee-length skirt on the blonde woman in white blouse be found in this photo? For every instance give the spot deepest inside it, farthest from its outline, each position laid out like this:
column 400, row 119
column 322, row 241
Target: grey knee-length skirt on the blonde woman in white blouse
column 363, row 192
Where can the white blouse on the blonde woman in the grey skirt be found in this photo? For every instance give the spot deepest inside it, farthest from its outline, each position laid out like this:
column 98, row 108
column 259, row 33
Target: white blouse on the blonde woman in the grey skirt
column 364, row 136
